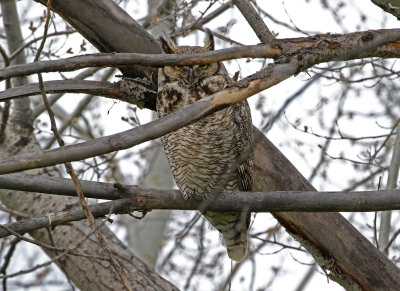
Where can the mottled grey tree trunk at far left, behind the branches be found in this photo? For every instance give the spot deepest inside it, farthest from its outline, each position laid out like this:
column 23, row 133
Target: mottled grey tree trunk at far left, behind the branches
column 85, row 273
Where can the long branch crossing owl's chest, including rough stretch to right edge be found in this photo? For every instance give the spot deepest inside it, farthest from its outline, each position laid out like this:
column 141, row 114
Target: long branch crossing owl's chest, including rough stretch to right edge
column 267, row 77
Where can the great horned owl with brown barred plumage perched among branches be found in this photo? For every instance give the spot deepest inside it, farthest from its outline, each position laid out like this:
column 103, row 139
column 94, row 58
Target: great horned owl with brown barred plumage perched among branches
column 214, row 154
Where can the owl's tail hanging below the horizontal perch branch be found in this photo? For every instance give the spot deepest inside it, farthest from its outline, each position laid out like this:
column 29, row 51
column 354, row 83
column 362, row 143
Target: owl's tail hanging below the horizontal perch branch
column 233, row 226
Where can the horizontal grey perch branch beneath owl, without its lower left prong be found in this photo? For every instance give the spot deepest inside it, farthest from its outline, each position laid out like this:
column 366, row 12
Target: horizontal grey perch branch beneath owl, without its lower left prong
column 143, row 198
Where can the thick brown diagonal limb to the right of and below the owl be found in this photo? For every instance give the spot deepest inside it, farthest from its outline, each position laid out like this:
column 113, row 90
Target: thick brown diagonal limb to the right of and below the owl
column 335, row 244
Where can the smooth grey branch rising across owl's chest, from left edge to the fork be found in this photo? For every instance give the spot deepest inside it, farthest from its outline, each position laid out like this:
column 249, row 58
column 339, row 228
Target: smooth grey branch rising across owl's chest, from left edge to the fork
column 273, row 75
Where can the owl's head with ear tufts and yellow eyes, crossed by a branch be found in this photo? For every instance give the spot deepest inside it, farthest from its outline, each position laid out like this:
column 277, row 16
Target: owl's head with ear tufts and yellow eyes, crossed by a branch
column 189, row 76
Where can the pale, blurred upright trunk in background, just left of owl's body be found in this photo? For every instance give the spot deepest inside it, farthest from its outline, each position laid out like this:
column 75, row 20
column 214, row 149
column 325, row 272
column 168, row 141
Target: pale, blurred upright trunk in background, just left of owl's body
column 145, row 236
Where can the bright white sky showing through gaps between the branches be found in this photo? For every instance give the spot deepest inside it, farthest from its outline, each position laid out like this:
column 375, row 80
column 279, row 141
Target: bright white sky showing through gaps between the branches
column 311, row 17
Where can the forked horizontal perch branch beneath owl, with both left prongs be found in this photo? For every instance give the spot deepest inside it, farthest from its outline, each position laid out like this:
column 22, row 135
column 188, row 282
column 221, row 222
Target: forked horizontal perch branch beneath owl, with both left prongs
column 142, row 199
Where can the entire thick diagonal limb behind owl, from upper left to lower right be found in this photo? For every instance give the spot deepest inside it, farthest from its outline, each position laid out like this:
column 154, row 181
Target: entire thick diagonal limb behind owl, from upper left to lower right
column 336, row 245
